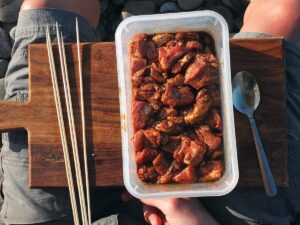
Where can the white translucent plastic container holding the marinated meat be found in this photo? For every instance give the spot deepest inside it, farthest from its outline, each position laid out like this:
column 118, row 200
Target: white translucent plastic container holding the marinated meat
column 215, row 25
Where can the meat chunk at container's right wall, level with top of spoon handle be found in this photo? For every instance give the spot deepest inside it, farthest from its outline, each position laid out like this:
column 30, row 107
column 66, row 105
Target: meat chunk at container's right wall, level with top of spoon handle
column 213, row 141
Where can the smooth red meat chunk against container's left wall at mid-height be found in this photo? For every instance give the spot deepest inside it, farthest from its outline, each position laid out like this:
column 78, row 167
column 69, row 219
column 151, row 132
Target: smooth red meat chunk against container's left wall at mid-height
column 141, row 112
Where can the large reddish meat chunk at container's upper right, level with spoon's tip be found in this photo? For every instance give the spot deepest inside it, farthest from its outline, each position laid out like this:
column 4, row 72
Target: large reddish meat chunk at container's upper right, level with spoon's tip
column 200, row 74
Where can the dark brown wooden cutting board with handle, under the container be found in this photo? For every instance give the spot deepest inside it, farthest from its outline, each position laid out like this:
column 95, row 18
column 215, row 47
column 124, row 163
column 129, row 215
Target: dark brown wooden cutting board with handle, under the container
column 261, row 57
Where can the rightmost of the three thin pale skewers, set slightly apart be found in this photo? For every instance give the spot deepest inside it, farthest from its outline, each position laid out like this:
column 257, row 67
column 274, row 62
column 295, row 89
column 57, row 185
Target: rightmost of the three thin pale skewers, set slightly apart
column 87, row 183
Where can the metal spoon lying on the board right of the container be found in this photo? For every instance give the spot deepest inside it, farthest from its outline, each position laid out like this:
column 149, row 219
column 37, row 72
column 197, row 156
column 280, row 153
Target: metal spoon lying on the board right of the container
column 246, row 98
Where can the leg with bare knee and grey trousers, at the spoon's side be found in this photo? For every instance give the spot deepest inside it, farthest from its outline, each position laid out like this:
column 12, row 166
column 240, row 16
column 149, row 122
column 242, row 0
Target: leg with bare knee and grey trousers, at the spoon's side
column 251, row 206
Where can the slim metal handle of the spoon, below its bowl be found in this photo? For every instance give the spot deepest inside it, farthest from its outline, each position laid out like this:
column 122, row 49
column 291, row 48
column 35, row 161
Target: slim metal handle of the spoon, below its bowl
column 269, row 183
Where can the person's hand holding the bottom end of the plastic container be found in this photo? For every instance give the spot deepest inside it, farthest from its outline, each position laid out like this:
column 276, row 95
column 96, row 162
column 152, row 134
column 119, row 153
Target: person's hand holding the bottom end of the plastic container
column 176, row 211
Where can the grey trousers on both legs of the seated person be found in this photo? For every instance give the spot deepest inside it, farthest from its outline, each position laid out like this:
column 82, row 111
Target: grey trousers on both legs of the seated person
column 51, row 206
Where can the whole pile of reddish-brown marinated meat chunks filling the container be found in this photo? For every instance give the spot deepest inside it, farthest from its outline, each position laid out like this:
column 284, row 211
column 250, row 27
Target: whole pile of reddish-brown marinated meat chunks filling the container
column 175, row 108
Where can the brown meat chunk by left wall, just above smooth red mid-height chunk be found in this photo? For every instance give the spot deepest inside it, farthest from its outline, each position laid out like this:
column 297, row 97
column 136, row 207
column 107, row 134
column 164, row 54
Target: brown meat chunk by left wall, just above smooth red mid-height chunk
column 148, row 92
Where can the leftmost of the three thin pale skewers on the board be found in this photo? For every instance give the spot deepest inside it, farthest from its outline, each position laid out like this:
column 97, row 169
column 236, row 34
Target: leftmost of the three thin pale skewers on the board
column 62, row 129
